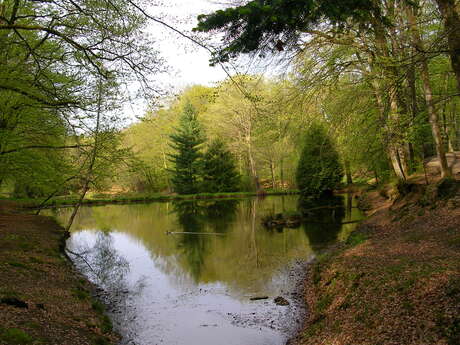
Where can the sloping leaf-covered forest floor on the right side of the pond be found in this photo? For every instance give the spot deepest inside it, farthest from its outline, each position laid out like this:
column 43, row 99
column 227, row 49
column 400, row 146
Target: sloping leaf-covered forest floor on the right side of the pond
column 396, row 280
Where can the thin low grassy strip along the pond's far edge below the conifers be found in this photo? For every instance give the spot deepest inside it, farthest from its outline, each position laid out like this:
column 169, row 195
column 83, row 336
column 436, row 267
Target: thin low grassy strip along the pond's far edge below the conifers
column 100, row 199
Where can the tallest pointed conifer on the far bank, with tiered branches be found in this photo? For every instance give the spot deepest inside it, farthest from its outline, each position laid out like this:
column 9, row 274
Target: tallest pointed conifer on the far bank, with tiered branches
column 188, row 159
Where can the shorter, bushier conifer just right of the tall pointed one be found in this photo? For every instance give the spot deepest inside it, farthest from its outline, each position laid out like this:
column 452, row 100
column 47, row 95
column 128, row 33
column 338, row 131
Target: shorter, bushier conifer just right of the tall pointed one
column 219, row 171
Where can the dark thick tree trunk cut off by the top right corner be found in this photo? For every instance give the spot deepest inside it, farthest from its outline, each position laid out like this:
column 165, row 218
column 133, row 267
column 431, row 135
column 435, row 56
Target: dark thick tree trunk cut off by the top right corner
column 451, row 17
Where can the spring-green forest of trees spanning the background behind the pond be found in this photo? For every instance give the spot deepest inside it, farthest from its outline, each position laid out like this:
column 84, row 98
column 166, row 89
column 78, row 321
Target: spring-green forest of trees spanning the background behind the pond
column 381, row 78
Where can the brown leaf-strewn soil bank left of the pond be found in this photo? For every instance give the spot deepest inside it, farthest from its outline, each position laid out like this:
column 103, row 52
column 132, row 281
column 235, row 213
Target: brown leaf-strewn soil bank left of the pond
column 43, row 300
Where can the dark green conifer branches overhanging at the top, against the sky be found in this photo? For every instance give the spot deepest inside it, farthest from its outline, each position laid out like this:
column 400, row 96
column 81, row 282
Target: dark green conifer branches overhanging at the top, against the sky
column 273, row 24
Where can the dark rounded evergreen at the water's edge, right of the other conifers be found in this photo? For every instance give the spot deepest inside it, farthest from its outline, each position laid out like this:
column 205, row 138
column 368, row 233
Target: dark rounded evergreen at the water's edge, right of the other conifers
column 319, row 170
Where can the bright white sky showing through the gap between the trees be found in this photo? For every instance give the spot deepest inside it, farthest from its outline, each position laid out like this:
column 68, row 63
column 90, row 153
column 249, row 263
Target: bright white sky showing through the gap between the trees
column 188, row 64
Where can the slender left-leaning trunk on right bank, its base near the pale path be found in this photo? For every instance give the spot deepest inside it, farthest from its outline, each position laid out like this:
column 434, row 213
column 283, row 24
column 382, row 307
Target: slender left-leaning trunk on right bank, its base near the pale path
column 432, row 113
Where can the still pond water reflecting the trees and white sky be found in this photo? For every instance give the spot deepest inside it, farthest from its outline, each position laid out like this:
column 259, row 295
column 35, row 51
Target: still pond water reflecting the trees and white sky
column 184, row 273
